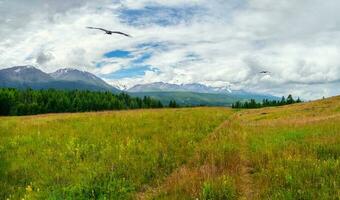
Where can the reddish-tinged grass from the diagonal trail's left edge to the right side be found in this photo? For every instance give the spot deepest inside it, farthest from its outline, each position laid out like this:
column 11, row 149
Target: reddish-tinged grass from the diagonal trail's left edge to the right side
column 290, row 152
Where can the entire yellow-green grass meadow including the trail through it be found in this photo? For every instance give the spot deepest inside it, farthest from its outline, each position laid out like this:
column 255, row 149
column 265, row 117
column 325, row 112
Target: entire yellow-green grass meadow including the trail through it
column 289, row 152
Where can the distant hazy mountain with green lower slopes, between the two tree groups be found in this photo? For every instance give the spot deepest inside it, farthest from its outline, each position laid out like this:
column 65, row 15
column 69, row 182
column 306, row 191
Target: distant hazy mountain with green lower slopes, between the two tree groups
column 194, row 94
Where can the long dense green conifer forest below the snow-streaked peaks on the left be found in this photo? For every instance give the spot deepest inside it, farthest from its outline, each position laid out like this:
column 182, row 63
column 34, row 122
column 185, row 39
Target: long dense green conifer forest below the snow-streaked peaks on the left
column 31, row 102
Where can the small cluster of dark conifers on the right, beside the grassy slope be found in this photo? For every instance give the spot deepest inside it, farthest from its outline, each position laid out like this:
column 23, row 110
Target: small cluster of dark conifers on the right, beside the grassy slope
column 266, row 103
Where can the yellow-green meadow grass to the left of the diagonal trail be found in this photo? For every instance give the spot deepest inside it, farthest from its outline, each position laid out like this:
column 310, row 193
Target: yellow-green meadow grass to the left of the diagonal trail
column 101, row 155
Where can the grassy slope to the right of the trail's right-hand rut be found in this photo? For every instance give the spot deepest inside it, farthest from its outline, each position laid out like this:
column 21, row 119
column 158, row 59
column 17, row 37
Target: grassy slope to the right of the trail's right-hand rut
column 296, row 156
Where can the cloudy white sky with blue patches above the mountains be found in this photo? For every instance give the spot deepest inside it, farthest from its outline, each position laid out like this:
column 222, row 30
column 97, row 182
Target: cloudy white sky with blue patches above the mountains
column 215, row 42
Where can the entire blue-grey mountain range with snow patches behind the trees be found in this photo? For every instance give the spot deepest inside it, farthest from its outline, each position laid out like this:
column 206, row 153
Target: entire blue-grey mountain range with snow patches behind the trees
column 70, row 79
